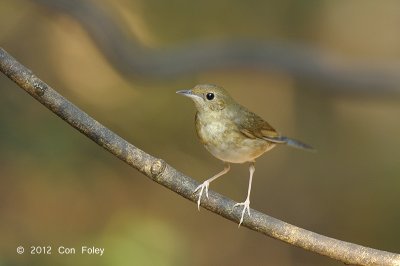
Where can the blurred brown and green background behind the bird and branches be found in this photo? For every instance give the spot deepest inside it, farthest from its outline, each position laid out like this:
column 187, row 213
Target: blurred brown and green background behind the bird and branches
column 58, row 188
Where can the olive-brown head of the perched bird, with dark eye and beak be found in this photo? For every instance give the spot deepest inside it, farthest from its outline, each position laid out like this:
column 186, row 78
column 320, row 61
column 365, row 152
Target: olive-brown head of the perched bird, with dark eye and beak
column 208, row 97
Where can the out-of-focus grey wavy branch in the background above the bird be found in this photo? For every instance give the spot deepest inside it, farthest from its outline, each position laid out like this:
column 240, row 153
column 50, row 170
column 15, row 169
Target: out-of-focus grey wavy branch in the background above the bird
column 132, row 59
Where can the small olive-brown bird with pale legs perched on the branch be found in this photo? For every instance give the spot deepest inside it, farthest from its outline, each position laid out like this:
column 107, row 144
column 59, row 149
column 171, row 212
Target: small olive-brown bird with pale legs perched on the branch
column 232, row 133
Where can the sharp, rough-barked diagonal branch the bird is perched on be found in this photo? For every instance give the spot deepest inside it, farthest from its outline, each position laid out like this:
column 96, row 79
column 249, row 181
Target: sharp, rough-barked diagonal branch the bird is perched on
column 164, row 174
